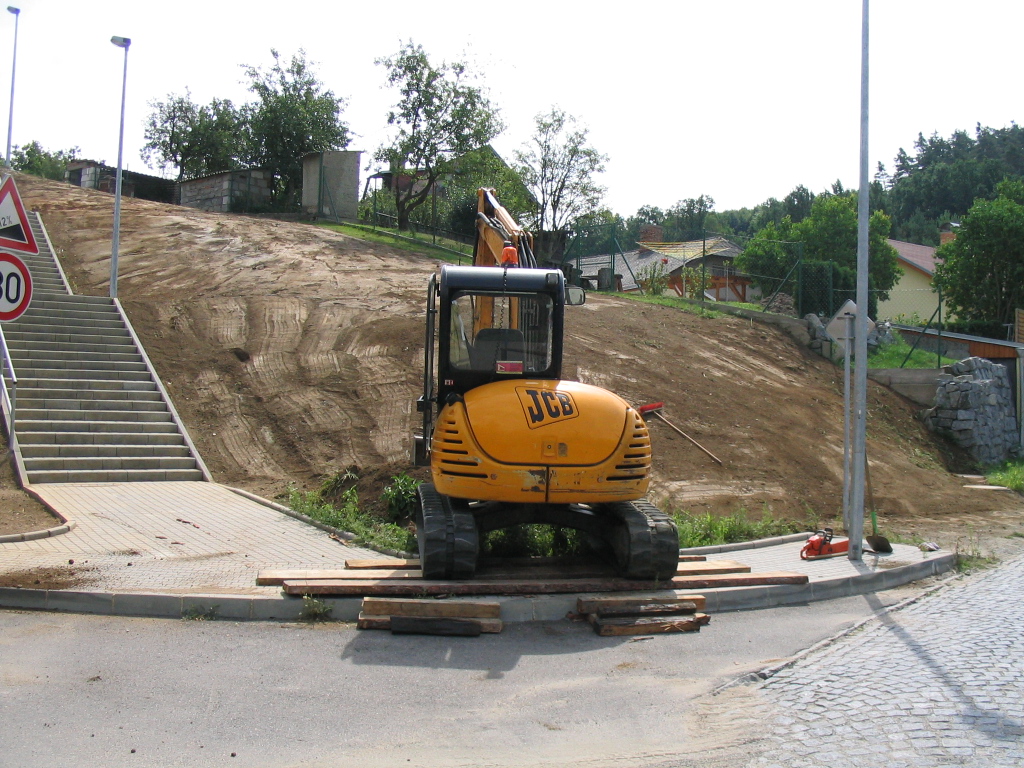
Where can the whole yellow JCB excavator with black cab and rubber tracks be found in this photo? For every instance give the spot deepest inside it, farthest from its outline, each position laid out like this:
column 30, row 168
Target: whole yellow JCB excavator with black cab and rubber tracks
column 507, row 440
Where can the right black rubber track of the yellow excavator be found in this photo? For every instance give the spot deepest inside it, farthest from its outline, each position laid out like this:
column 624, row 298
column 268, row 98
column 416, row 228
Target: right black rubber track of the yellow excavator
column 646, row 542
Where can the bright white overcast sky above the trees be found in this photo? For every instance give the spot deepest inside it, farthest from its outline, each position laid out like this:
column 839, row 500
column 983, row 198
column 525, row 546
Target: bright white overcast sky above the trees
column 740, row 100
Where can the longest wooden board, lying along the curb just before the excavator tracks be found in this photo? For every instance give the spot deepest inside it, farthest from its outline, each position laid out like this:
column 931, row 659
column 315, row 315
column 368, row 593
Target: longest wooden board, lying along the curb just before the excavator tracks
column 421, row 588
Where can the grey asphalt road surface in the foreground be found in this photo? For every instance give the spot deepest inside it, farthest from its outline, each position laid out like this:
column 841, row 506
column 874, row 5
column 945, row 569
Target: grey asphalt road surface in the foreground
column 113, row 692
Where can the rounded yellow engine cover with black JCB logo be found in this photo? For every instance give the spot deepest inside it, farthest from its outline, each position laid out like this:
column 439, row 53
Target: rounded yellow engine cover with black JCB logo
column 541, row 442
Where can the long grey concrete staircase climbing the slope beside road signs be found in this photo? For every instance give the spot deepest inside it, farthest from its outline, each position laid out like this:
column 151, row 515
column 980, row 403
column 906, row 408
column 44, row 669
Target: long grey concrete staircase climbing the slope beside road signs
column 90, row 408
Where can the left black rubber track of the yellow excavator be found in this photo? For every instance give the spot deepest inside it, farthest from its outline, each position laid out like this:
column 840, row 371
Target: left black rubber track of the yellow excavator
column 447, row 535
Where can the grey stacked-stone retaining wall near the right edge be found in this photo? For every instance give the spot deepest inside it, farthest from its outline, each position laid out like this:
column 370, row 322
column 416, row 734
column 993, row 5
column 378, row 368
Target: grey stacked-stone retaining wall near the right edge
column 974, row 406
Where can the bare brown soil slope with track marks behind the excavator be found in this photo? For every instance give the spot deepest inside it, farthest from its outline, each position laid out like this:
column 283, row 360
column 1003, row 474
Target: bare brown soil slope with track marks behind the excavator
column 292, row 352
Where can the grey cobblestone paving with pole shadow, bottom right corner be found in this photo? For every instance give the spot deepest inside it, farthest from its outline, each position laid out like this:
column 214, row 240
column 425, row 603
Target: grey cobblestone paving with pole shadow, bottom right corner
column 938, row 684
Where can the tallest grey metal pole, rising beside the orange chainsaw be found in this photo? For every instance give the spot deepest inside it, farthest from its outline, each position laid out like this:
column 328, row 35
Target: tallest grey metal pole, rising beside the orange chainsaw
column 857, row 530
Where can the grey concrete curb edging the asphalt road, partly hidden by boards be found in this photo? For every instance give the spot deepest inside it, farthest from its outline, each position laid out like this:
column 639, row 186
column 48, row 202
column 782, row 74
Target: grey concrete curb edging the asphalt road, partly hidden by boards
column 515, row 609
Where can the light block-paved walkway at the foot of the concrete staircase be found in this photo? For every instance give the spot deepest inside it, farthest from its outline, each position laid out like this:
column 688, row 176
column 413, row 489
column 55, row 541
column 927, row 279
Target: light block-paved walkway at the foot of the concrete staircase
column 175, row 538
